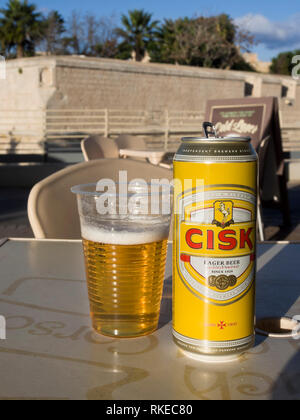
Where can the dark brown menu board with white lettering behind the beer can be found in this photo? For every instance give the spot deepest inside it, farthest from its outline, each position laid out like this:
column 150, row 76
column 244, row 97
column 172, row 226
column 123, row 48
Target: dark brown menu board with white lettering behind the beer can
column 257, row 118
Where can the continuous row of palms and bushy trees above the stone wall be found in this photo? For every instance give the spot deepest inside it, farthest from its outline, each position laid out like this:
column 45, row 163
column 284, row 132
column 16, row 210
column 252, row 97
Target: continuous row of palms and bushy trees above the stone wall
column 200, row 41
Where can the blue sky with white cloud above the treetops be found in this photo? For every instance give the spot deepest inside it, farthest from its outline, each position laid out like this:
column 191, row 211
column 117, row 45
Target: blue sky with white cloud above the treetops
column 275, row 23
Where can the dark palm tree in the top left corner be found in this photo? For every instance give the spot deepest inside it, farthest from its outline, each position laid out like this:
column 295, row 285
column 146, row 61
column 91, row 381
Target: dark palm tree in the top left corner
column 20, row 27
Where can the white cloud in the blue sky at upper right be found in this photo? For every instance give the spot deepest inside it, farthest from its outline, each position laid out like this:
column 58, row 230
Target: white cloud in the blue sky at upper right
column 273, row 35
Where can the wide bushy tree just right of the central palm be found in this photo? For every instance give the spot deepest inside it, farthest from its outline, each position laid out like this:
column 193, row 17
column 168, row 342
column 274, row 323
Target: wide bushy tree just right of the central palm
column 201, row 41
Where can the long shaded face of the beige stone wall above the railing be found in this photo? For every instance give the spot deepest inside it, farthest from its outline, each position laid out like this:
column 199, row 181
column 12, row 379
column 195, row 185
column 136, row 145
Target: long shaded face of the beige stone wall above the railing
column 114, row 84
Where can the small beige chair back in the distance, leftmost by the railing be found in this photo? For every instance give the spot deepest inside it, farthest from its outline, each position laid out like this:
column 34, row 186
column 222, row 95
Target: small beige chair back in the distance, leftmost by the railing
column 99, row 147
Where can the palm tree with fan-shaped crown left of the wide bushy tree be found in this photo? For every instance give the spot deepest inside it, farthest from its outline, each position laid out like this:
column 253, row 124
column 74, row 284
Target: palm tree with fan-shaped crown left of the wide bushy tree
column 138, row 31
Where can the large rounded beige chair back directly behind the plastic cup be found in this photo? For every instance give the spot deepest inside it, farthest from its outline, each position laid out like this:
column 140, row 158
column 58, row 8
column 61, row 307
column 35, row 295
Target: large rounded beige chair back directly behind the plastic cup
column 52, row 208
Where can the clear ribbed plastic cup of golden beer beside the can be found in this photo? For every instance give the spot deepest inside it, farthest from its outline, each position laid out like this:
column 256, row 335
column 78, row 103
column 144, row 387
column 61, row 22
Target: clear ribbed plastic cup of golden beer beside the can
column 125, row 240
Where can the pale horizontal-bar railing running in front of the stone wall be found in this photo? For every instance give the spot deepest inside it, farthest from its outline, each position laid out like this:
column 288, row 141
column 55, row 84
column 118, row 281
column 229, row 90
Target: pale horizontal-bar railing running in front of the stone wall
column 68, row 126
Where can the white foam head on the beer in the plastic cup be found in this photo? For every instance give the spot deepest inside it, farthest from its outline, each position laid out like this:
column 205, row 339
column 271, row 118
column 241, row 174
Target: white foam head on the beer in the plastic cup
column 94, row 234
